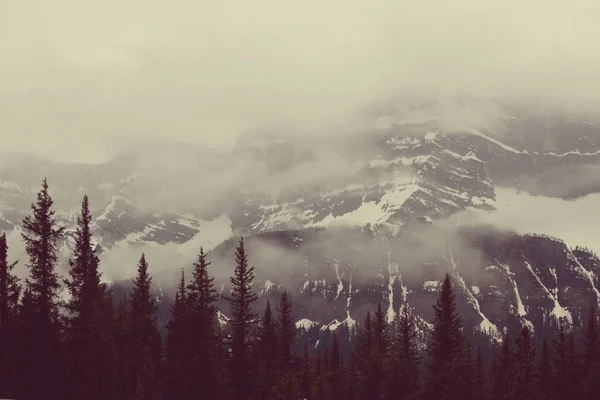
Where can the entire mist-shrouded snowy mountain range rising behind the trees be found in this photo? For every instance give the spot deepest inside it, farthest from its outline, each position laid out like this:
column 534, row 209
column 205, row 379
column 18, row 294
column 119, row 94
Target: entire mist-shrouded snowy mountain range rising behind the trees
column 405, row 167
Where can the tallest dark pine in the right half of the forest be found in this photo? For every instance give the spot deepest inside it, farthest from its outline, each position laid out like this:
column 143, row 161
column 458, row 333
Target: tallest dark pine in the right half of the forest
column 444, row 346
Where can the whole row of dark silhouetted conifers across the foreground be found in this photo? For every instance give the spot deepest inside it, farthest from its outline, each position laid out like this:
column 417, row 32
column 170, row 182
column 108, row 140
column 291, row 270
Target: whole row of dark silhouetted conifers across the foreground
column 96, row 346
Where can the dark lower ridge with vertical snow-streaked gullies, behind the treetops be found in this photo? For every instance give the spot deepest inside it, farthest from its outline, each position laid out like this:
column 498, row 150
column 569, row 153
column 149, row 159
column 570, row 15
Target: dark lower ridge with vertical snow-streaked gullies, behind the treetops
column 503, row 281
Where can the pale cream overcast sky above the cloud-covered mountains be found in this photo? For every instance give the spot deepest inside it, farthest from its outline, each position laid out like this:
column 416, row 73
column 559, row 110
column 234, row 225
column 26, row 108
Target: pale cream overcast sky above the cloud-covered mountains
column 75, row 75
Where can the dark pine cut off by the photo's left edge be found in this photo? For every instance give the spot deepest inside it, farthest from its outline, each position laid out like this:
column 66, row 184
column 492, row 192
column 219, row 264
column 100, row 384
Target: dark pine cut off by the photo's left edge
column 9, row 298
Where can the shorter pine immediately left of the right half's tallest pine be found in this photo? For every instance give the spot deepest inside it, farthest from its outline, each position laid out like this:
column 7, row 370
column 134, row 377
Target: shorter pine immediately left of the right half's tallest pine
column 403, row 377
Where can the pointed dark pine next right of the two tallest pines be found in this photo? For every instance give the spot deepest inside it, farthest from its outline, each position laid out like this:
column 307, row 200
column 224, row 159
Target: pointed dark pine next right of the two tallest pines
column 146, row 338
